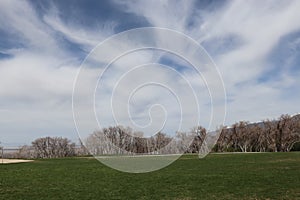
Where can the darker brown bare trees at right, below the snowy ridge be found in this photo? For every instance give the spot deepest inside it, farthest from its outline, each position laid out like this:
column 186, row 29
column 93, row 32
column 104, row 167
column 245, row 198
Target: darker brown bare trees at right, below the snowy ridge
column 267, row 136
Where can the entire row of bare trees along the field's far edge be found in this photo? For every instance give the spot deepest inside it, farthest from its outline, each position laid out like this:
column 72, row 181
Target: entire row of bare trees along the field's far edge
column 279, row 135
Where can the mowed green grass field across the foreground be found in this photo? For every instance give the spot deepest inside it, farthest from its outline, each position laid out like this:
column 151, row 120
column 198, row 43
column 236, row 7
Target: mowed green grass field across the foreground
column 217, row 176
